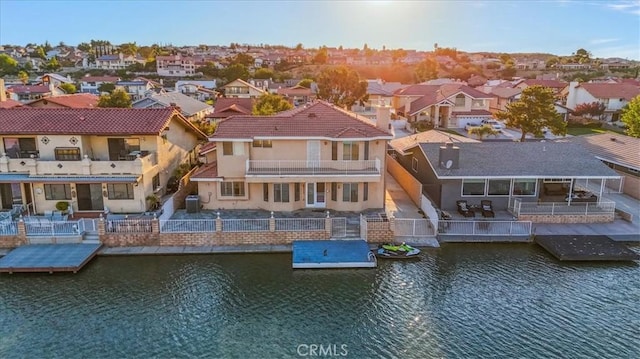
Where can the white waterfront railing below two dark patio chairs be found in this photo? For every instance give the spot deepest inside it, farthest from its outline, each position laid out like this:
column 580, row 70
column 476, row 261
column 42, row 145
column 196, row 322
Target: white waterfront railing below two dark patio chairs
column 484, row 228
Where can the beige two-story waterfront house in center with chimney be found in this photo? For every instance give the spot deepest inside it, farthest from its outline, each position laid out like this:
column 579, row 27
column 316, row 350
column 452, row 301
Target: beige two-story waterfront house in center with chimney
column 316, row 156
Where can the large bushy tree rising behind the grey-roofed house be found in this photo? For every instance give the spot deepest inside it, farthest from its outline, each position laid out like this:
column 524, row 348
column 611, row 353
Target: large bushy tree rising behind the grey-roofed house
column 533, row 112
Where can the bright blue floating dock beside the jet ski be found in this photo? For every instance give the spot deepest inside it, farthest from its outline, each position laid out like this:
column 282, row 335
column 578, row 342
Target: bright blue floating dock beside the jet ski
column 333, row 254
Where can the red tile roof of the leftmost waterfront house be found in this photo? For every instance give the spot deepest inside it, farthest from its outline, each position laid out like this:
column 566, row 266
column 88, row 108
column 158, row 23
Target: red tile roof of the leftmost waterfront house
column 84, row 121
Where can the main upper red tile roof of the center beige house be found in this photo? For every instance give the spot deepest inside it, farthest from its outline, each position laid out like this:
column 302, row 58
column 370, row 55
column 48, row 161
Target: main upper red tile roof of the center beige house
column 319, row 119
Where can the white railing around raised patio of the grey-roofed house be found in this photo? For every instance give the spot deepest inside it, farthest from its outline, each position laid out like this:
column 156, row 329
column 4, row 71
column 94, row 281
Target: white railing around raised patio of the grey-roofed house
column 560, row 208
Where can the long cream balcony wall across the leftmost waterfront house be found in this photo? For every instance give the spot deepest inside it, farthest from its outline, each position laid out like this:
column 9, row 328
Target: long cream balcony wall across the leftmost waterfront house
column 35, row 166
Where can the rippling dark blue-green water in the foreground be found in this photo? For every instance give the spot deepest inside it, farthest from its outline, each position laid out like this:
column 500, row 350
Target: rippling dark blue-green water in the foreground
column 461, row 301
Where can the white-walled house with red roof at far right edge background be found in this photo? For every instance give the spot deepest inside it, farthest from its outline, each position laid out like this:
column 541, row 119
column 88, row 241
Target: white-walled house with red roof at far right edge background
column 613, row 95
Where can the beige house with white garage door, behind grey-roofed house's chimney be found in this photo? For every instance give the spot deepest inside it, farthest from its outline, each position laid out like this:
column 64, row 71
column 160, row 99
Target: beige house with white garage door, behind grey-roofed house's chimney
column 450, row 105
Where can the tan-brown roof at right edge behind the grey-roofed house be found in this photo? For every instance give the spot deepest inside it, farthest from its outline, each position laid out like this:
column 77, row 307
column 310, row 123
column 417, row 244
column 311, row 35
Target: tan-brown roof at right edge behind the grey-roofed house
column 612, row 147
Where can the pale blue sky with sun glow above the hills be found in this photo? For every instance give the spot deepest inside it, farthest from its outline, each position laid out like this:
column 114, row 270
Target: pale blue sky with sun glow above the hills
column 607, row 28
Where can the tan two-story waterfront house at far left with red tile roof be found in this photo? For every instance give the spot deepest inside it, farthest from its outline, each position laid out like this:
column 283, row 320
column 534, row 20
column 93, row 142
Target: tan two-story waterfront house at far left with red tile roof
column 95, row 159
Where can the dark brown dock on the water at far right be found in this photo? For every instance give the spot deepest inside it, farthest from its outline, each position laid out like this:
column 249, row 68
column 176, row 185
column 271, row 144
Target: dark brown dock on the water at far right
column 586, row 248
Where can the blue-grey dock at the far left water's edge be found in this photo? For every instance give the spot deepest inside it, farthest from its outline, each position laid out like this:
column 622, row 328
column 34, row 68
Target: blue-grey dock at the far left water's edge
column 48, row 258
